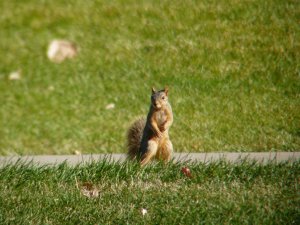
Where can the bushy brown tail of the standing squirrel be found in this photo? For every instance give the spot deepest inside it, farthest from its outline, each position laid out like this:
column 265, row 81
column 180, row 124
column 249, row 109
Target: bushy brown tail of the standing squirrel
column 134, row 137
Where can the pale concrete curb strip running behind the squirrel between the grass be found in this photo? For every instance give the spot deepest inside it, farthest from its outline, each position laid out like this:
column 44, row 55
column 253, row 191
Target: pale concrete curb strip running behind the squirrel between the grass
column 233, row 157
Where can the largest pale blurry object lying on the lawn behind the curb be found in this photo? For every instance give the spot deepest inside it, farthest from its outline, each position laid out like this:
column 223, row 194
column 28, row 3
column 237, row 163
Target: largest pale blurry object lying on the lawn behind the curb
column 60, row 50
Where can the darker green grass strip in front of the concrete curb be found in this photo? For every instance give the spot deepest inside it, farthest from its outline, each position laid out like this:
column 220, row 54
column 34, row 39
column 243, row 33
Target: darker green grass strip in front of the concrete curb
column 218, row 193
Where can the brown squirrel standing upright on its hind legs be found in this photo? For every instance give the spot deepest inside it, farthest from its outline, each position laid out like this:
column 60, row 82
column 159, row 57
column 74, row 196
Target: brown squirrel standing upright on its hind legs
column 149, row 138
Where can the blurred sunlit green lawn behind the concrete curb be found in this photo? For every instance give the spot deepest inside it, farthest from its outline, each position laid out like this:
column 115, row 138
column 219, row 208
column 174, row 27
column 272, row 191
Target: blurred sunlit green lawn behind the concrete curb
column 232, row 68
